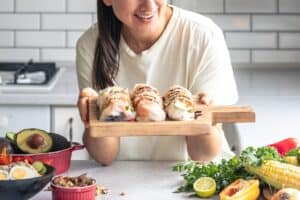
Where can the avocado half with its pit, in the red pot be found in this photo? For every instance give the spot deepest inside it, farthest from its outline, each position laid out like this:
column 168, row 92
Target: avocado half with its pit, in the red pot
column 34, row 141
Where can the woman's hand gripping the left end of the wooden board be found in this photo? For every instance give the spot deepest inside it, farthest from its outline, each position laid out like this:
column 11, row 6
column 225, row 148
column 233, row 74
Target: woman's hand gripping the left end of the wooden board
column 82, row 103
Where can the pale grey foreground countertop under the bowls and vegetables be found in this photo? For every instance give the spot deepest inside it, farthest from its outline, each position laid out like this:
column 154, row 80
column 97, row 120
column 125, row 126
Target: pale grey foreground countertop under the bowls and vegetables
column 145, row 180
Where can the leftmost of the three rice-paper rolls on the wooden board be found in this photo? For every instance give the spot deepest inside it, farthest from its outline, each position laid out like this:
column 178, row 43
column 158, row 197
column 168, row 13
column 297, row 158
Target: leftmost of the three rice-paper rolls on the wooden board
column 115, row 104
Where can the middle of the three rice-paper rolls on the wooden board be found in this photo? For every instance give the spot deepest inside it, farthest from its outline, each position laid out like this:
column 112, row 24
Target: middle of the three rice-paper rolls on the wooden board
column 147, row 103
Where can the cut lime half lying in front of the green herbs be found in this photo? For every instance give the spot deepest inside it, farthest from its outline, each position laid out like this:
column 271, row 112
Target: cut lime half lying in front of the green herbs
column 205, row 186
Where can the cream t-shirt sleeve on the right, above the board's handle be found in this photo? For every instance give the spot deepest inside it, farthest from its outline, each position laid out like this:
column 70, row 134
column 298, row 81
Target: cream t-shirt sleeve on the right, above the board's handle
column 214, row 74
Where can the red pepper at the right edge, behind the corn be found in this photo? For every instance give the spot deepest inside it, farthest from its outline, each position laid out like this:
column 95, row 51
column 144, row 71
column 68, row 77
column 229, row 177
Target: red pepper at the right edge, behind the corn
column 285, row 145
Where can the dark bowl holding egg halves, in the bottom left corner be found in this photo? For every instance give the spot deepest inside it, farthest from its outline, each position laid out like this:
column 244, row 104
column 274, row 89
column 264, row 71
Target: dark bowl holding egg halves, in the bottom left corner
column 26, row 188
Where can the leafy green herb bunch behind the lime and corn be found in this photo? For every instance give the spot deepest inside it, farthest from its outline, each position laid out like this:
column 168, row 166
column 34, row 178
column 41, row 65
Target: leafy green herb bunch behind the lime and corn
column 226, row 171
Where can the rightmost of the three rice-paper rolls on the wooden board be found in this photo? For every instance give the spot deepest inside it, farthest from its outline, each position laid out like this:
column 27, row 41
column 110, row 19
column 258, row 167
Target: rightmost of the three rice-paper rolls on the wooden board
column 179, row 104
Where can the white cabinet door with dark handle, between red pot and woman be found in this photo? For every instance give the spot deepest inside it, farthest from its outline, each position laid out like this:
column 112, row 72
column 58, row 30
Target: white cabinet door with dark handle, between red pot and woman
column 60, row 124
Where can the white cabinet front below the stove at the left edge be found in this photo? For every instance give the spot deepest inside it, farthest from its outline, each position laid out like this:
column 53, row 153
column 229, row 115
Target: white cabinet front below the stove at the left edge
column 17, row 117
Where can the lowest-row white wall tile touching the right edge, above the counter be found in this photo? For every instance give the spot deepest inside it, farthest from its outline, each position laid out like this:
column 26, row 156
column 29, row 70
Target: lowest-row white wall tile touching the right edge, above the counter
column 275, row 56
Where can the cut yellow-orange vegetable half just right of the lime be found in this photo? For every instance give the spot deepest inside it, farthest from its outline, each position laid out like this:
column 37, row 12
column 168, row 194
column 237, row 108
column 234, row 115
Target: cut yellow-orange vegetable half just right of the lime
column 241, row 189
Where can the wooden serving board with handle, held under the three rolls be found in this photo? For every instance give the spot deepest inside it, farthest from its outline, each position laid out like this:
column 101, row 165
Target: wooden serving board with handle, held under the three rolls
column 207, row 116
